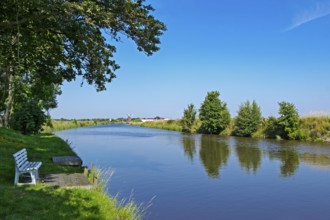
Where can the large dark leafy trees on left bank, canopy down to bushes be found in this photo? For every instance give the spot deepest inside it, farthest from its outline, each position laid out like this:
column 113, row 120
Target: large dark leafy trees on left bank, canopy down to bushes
column 44, row 43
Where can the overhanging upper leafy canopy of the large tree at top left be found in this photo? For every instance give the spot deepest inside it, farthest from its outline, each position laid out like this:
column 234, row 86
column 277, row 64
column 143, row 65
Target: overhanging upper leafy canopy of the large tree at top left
column 64, row 39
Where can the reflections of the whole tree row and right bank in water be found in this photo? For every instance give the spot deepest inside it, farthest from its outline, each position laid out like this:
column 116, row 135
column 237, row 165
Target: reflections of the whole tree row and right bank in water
column 214, row 153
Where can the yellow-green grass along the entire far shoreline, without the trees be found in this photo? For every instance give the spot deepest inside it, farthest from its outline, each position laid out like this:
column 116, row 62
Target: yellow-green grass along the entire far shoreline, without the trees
column 314, row 128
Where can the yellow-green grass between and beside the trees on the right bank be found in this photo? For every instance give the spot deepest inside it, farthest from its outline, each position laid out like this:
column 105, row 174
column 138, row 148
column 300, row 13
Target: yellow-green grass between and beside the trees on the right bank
column 315, row 129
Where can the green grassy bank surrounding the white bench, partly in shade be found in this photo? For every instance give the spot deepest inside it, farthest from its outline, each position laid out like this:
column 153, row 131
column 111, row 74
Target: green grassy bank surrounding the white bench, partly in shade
column 43, row 202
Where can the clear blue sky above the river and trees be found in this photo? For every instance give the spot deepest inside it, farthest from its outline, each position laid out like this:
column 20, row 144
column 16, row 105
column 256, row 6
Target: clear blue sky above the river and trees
column 267, row 51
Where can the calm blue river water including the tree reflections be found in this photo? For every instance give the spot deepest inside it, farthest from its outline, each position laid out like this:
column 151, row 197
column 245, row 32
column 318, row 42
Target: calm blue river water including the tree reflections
column 209, row 177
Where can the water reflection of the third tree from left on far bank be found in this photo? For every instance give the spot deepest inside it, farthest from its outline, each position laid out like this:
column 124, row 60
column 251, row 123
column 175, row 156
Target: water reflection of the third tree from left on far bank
column 249, row 154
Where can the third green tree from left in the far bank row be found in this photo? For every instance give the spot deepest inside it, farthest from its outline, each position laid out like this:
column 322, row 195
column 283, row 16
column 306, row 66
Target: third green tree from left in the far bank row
column 248, row 119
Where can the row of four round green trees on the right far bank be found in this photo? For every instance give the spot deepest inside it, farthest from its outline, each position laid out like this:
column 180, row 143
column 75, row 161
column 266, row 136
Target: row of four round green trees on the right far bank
column 215, row 119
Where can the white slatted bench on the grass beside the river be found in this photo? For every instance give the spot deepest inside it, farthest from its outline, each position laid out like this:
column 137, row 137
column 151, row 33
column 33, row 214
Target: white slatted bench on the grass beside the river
column 22, row 165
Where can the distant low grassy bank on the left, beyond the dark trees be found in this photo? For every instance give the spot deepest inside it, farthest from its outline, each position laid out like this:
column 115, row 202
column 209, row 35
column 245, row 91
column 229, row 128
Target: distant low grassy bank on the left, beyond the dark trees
column 59, row 125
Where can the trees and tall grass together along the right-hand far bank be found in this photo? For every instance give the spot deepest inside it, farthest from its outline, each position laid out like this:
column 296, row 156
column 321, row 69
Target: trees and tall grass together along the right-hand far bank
column 214, row 118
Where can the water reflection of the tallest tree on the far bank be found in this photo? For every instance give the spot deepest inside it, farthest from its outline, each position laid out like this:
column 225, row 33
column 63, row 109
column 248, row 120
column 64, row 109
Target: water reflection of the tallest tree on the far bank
column 214, row 154
